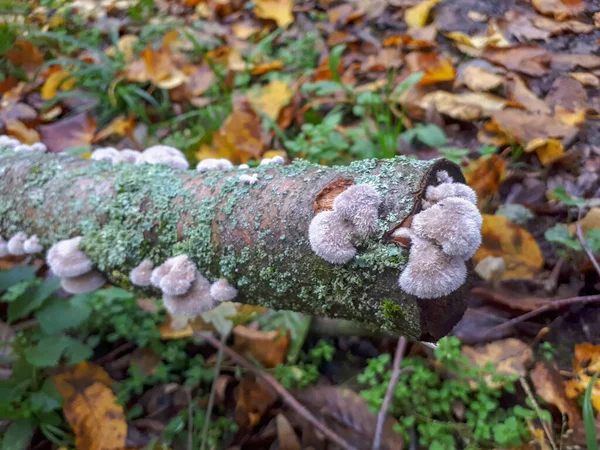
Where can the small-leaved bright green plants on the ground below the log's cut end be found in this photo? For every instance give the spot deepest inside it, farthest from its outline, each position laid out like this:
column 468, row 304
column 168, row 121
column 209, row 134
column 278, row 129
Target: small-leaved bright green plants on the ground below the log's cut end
column 425, row 401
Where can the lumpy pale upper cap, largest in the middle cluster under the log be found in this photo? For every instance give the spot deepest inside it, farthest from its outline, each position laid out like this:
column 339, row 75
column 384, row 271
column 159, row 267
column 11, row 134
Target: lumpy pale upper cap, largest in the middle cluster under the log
column 175, row 276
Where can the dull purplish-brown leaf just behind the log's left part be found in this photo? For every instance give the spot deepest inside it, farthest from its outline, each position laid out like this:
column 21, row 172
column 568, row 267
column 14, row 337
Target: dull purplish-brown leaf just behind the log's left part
column 75, row 131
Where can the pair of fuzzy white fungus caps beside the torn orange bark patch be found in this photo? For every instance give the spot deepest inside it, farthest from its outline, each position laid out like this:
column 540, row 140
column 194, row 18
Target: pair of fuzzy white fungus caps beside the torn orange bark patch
column 334, row 234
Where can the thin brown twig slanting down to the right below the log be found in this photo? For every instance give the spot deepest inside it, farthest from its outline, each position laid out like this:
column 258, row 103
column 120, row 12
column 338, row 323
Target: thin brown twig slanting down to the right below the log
column 287, row 398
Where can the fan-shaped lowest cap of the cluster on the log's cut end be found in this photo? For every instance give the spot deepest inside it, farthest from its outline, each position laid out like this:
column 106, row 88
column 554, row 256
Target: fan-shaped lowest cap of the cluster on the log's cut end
column 430, row 273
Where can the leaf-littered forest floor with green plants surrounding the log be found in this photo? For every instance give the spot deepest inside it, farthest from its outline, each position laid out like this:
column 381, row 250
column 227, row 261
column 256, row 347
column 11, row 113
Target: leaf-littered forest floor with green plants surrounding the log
column 510, row 90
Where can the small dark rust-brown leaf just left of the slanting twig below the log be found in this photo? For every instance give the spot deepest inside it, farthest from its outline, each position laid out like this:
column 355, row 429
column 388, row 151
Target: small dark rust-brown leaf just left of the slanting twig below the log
column 254, row 399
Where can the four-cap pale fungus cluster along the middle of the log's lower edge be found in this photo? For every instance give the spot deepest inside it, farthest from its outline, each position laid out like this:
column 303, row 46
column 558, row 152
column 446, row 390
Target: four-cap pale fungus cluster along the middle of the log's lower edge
column 186, row 292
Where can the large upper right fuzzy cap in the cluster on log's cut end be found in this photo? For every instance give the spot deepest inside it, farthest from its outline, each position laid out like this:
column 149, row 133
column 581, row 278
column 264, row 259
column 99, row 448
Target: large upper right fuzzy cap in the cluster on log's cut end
column 454, row 224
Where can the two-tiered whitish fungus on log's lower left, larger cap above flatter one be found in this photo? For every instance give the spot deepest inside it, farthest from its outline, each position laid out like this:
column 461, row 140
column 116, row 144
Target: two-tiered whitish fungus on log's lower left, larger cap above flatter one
column 73, row 267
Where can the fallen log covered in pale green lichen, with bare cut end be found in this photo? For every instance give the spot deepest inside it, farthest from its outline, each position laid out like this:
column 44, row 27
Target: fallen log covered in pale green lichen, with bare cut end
column 255, row 236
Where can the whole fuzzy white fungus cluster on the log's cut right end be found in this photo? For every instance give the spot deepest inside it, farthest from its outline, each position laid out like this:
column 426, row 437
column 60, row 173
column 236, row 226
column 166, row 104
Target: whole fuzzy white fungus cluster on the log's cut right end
column 444, row 235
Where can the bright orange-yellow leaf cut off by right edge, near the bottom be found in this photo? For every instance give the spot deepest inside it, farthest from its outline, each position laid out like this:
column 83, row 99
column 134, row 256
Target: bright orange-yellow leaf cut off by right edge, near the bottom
column 585, row 364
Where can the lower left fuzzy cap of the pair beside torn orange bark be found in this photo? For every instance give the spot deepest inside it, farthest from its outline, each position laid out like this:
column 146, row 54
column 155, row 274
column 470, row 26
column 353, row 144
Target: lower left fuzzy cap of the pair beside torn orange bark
column 330, row 237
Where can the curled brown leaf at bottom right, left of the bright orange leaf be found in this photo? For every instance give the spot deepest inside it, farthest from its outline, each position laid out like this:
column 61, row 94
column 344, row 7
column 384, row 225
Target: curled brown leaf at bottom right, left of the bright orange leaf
column 550, row 385
